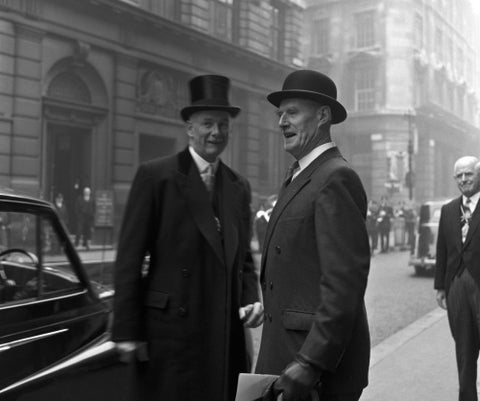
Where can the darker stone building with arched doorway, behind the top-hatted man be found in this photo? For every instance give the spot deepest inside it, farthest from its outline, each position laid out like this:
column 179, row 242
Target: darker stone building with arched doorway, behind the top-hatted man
column 89, row 89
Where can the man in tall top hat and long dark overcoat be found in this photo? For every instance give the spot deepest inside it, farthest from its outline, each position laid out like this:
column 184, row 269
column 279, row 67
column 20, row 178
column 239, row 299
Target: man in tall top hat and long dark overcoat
column 191, row 214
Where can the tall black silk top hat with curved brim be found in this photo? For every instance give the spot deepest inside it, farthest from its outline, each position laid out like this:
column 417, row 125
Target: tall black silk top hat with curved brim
column 209, row 92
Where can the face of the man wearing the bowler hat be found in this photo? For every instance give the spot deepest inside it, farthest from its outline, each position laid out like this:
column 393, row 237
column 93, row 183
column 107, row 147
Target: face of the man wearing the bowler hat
column 299, row 121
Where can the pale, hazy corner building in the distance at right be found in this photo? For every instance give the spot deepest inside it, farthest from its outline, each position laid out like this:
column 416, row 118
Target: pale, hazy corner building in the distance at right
column 408, row 74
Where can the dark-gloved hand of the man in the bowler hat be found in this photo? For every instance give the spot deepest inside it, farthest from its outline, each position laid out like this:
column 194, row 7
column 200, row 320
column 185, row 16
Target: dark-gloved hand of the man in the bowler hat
column 297, row 381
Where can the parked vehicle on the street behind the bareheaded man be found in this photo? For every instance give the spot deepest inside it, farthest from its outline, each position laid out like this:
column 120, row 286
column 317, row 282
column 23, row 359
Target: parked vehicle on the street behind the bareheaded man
column 423, row 254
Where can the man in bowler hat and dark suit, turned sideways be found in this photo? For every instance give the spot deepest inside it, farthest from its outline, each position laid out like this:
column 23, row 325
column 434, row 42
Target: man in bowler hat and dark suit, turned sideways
column 316, row 255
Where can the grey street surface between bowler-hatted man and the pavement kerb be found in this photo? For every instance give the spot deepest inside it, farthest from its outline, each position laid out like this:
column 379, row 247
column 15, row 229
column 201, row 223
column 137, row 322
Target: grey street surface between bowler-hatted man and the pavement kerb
column 395, row 296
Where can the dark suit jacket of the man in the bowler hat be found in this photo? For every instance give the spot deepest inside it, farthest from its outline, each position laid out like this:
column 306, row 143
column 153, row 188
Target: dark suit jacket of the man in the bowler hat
column 314, row 274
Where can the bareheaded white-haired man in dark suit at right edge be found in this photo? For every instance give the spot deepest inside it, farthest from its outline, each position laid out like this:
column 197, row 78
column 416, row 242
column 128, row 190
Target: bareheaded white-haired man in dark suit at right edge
column 457, row 272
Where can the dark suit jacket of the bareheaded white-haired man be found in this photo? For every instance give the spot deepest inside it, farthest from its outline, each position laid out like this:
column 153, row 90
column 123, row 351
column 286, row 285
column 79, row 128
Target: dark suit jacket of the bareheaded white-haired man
column 452, row 255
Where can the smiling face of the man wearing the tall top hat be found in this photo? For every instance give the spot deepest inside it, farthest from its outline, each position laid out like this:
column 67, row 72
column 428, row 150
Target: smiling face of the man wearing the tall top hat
column 208, row 133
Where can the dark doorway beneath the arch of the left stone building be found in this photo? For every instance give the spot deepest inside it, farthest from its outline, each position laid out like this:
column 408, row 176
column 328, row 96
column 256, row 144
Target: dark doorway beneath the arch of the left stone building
column 69, row 165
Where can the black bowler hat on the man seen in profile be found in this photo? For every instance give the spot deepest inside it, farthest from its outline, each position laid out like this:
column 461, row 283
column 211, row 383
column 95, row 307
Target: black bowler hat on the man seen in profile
column 313, row 85
